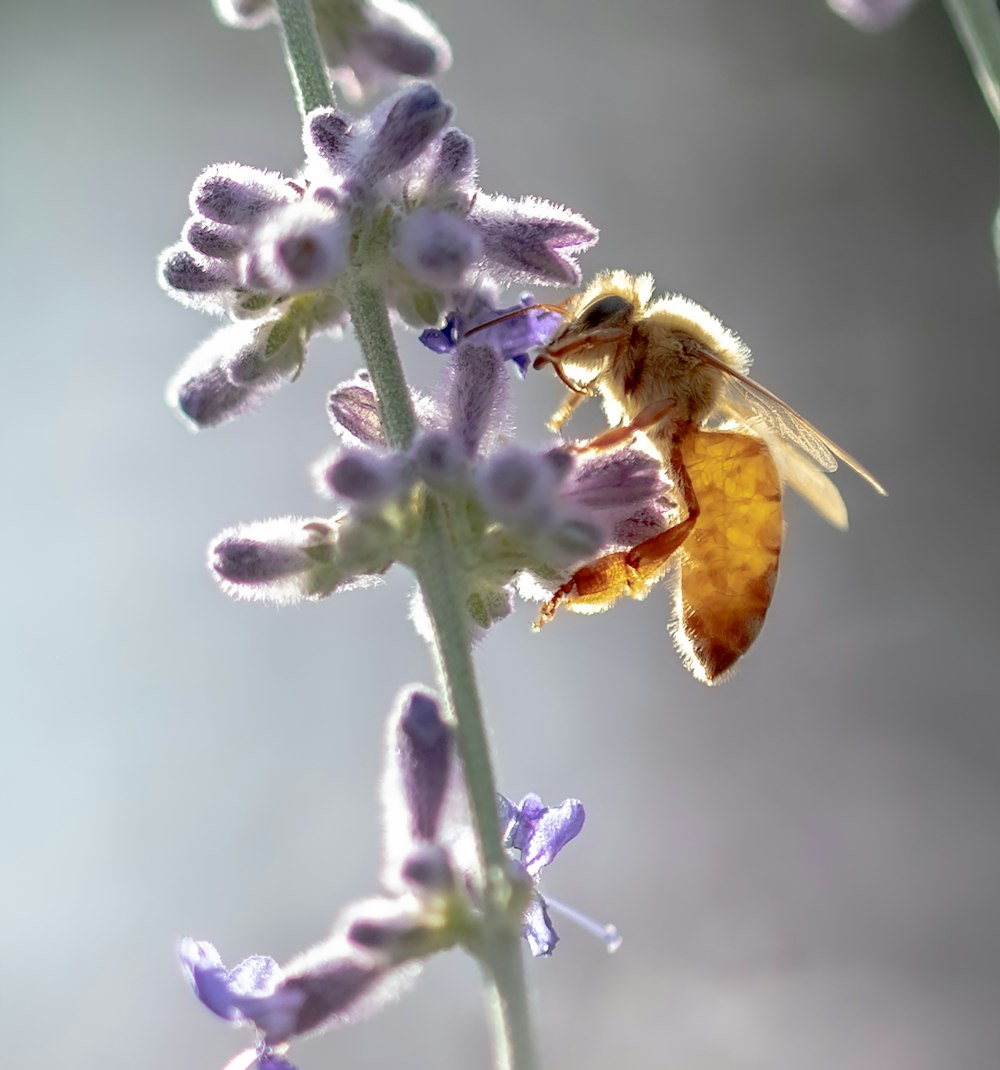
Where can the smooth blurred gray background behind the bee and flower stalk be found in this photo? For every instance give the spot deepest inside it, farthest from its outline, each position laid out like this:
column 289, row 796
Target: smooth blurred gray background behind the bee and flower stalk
column 805, row 863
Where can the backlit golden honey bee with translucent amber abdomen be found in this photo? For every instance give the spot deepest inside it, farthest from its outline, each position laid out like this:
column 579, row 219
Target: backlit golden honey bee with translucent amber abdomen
column 669, row 372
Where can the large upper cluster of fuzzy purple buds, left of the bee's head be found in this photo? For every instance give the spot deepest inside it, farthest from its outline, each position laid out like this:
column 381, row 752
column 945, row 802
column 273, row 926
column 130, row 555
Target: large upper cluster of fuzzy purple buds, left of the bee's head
column 391, row 198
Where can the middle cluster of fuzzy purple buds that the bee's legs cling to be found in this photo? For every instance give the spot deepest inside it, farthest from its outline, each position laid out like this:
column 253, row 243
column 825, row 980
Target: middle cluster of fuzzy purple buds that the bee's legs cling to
column 524, row 517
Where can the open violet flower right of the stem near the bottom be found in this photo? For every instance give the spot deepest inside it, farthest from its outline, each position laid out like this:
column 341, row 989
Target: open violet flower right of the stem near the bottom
column 539, row 834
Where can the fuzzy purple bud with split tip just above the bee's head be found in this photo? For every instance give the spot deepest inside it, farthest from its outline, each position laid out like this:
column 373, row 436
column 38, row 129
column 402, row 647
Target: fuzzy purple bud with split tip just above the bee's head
column 531, row 240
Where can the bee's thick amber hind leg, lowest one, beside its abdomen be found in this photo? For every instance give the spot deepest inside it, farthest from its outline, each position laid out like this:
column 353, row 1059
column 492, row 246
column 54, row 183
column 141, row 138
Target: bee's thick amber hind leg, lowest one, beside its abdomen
column 635, row 573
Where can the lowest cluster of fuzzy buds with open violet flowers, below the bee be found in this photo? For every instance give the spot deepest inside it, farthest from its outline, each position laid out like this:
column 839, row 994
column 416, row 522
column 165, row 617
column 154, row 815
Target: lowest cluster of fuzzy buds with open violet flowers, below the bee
column 430, row 900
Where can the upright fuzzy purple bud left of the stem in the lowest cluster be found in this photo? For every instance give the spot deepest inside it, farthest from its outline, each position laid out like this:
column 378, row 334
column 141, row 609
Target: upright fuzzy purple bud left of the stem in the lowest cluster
column 419, row 766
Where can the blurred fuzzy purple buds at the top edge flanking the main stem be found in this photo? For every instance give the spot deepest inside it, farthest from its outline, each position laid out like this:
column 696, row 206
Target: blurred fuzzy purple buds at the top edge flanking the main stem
column 368, row 44
